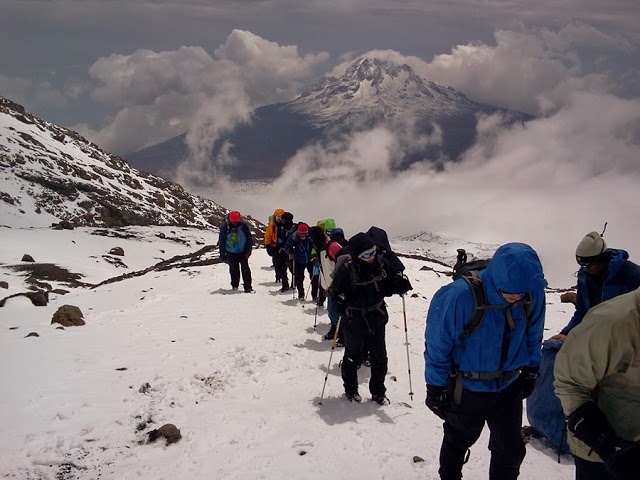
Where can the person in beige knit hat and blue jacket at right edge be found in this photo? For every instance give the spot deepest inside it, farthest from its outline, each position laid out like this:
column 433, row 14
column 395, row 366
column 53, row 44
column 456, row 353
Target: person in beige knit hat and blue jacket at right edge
column 604, row 274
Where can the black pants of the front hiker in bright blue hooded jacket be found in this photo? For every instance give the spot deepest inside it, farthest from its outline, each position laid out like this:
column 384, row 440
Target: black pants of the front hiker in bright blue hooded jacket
column 502, row 411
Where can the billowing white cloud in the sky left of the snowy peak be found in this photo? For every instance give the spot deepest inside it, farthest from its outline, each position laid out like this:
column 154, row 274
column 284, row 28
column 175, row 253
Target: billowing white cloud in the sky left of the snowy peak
column 163, row 94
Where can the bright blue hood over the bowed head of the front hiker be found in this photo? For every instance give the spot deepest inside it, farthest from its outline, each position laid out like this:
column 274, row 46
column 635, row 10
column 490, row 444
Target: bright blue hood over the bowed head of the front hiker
column 515, row 268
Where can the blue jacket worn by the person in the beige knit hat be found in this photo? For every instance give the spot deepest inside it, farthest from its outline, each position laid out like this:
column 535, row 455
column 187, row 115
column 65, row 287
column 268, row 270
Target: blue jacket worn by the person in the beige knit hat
column 622, row 276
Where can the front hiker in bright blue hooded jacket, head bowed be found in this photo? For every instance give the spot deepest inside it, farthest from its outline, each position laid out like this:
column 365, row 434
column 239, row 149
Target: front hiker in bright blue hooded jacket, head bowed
column 483, row 376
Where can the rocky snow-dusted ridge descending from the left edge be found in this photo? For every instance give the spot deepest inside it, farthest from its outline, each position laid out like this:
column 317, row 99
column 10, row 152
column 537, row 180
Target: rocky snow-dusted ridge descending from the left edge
column 53, row 174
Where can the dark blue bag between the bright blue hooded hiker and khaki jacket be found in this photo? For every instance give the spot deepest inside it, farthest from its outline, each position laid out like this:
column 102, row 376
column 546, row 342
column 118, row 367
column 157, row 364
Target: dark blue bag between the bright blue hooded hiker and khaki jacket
column 544, row 409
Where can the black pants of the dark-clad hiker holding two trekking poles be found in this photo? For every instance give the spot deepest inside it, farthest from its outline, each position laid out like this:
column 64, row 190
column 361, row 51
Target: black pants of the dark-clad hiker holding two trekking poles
column 359, row 330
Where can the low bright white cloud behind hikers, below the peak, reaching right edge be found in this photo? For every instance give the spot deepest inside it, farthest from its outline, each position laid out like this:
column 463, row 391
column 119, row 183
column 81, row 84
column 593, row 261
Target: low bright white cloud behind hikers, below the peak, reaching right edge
column 547, row 183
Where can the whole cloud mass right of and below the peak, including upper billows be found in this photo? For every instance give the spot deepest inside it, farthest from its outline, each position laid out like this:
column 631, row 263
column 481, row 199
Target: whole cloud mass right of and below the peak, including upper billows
column 547, row 183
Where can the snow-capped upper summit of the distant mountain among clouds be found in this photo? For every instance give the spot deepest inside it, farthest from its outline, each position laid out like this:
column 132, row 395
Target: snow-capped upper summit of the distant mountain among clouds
column 381, row 88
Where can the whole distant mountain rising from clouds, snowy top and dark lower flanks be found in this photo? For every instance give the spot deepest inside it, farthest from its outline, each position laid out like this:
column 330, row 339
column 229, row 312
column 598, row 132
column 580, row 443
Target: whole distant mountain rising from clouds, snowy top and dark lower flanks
column 371, row 92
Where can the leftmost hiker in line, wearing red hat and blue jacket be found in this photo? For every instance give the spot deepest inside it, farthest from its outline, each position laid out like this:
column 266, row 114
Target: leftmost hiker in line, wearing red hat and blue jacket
column 234, row 243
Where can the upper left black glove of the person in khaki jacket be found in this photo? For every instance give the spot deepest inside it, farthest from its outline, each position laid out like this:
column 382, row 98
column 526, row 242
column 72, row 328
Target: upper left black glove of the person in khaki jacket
column 590, row 425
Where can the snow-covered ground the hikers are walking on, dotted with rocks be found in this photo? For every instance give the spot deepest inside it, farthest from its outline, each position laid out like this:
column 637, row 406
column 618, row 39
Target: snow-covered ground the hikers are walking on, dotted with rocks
column 240, row 375
